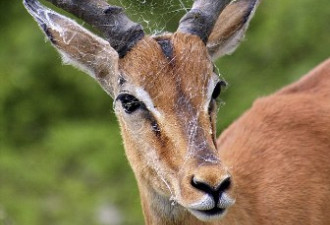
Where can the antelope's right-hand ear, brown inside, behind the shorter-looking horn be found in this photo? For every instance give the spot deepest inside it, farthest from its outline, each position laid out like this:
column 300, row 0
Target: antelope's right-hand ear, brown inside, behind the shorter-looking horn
column 230, row 27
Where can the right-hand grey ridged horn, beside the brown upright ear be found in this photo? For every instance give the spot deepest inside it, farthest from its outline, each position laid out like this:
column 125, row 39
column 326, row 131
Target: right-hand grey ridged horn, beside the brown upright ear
column 201, row 18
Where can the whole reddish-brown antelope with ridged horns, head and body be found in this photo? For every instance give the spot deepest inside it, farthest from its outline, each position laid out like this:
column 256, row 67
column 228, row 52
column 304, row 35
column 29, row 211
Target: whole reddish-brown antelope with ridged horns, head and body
column 271, row 166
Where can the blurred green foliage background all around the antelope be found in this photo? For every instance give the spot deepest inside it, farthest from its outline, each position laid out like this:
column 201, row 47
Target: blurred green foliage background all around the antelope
column 61, row 157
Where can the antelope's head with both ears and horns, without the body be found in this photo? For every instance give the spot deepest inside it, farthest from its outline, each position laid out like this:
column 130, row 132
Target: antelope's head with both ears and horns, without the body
column 164, row 90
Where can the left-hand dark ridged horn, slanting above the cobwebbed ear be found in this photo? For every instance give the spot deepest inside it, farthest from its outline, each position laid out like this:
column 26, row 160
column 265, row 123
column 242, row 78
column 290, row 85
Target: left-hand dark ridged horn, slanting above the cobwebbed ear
column 111, row 21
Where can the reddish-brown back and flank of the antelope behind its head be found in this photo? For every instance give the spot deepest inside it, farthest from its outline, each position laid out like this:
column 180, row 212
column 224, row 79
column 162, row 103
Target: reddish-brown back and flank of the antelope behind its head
column 279, row 155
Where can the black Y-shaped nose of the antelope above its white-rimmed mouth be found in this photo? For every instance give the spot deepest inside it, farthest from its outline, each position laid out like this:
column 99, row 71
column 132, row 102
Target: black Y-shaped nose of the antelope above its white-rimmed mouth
column 216, row 191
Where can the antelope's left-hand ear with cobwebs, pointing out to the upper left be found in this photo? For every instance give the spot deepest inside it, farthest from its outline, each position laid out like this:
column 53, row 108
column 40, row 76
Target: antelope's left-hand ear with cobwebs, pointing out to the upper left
column 78, row 46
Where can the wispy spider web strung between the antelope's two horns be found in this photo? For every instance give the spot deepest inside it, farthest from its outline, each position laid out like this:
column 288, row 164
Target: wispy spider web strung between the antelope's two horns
column 156, row 16
